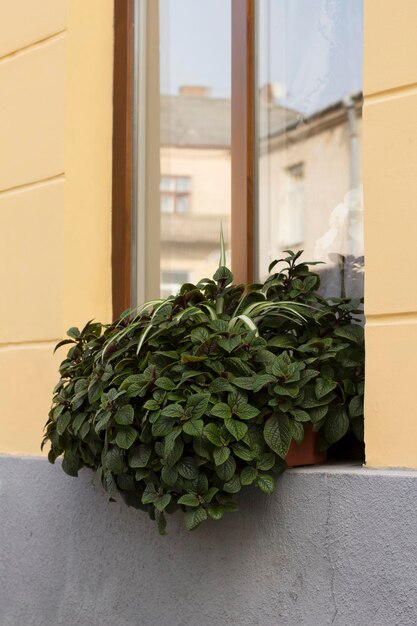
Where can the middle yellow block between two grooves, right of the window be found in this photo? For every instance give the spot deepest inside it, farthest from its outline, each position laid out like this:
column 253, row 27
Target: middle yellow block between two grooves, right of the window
column 390, row 155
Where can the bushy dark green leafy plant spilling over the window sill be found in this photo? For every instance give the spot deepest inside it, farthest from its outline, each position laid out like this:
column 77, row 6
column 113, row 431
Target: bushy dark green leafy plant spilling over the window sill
column 181, row 403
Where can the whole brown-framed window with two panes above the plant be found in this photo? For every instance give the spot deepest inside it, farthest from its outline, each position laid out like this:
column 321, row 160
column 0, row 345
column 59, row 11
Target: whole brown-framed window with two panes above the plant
column 236, row 122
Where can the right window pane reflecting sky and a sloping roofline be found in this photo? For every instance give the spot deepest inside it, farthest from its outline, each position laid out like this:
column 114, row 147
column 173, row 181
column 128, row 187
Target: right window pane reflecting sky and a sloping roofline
column 309, row 129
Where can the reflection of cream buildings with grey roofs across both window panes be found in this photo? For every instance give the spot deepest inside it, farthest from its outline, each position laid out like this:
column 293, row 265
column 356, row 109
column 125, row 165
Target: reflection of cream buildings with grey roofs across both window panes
column 309, row 195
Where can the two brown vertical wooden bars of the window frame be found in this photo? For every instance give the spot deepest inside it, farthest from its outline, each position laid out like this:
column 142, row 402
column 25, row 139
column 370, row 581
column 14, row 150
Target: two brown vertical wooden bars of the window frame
column 243, row 142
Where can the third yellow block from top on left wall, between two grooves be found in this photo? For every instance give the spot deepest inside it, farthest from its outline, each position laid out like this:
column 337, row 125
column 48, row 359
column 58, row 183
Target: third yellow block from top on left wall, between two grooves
column 31, row 258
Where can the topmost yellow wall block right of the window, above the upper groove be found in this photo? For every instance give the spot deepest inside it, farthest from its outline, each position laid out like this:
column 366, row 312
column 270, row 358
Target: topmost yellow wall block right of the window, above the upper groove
column 390, row 44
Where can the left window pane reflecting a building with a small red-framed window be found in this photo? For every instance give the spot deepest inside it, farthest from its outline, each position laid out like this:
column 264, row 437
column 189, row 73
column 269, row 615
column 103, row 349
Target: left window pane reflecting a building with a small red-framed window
column 189, row 50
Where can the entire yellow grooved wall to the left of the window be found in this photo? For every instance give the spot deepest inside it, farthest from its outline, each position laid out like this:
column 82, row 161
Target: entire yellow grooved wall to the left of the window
column 55, row 195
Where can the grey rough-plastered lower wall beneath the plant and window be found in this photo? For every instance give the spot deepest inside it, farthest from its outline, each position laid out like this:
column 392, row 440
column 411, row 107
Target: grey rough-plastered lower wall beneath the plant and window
column 331, row 546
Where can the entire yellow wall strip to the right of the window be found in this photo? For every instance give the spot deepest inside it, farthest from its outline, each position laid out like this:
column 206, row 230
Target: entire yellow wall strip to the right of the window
column 390, row 200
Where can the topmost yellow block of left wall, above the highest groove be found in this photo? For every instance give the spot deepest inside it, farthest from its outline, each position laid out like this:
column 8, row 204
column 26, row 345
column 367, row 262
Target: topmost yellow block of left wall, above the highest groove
column 23, row 22
